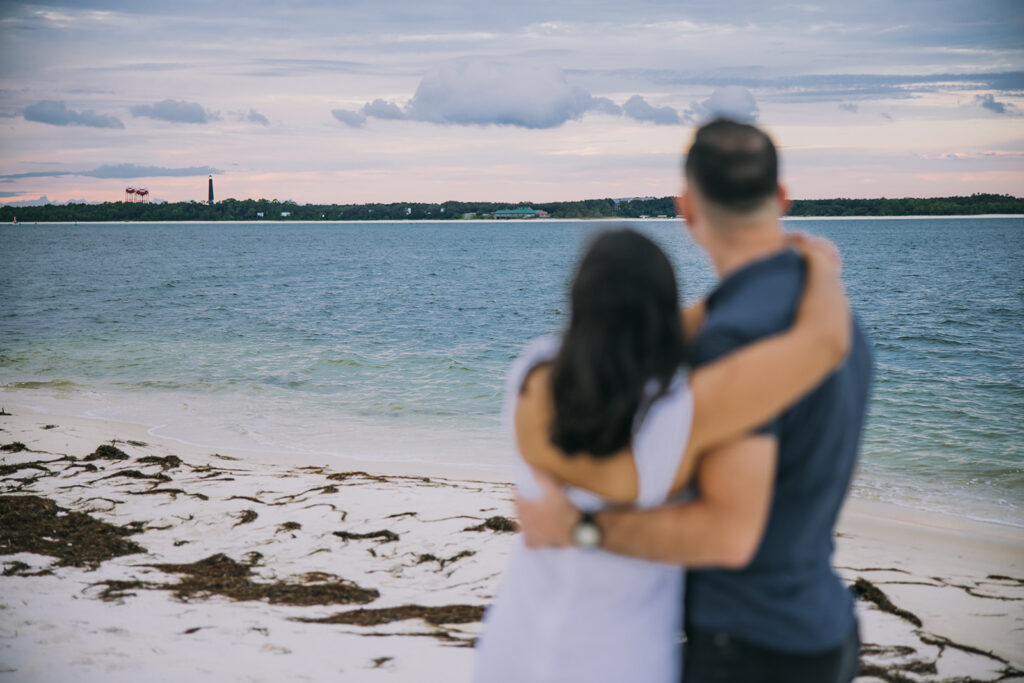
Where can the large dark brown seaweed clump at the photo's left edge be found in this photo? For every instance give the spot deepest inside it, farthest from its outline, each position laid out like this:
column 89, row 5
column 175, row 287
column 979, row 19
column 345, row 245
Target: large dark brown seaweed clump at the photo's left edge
column 36, row 525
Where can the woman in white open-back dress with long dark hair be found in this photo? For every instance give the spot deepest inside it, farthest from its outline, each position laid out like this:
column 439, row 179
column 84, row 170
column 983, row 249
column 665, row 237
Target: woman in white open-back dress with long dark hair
column 609, row 408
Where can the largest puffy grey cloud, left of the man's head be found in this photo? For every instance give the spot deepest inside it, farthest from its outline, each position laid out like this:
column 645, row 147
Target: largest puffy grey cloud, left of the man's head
column 479, row 92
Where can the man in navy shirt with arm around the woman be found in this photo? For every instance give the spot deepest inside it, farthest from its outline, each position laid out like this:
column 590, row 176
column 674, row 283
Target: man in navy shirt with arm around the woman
column 763, row 603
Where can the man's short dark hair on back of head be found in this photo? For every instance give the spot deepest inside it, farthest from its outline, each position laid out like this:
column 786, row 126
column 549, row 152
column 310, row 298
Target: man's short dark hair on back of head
column 734, row 164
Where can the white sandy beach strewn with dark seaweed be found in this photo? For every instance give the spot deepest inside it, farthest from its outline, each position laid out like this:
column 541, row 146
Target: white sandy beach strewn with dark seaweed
column 126, row 558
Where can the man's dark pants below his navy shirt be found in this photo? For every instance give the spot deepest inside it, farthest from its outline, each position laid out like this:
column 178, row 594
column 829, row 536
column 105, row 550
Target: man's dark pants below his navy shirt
column 718, row 658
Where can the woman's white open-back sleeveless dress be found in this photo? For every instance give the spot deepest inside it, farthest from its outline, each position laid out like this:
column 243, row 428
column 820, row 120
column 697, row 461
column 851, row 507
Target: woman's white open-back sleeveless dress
column 576, row 615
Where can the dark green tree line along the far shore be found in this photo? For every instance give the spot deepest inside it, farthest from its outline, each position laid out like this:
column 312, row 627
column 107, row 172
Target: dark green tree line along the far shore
column 273, row 210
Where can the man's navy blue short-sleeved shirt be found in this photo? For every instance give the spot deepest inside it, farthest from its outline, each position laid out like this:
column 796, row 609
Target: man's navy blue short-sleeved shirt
column 789, row 599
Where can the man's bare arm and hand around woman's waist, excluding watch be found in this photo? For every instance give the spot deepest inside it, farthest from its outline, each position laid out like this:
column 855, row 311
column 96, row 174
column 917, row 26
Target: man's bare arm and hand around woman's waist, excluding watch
column 721, row 529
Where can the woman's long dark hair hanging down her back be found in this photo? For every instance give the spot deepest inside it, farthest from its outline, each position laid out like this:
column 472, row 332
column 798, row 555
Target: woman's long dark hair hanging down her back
column 624, row 332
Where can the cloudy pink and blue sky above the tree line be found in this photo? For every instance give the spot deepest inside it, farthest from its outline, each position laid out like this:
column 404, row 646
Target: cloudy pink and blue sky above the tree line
column 534, row 101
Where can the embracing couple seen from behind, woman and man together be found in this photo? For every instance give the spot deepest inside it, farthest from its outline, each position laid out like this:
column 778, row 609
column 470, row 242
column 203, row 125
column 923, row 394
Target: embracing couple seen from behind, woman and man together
column 684, row 472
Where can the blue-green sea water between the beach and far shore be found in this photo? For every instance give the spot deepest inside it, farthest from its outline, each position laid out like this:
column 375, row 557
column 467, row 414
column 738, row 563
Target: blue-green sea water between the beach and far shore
column 390, row 341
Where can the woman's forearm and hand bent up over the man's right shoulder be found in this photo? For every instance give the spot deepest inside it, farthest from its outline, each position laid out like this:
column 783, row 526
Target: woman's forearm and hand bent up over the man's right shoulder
column 824, row 310
